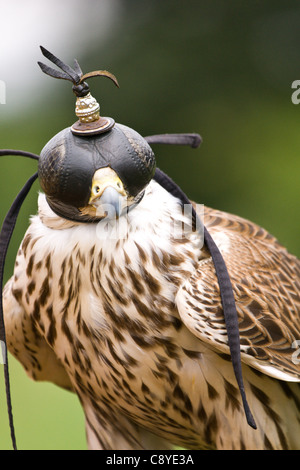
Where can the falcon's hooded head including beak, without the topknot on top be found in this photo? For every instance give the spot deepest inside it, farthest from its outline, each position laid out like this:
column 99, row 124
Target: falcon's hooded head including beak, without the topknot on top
column 89, row 178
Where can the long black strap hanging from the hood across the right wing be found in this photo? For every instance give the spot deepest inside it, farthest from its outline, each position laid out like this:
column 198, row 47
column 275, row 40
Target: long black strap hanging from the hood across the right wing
column 227, row 297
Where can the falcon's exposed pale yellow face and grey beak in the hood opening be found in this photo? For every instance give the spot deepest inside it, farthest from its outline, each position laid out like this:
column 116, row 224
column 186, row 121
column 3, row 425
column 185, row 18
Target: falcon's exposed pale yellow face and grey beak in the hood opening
column 108, row 195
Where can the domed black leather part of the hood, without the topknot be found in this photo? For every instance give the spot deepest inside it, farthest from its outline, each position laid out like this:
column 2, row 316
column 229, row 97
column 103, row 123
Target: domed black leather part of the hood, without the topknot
column 68, row 162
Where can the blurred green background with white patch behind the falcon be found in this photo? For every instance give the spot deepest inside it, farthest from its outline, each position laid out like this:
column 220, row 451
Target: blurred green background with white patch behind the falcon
column 223, row 69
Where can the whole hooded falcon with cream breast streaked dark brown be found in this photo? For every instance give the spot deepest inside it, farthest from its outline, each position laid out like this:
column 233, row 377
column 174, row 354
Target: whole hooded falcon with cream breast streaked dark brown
column 112, row 299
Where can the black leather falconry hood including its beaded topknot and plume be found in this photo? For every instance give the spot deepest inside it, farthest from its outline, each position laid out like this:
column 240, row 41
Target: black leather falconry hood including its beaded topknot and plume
column 69, row 160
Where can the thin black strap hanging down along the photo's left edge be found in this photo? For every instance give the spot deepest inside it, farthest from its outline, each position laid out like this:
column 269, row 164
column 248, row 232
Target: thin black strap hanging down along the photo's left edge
column 5, row 236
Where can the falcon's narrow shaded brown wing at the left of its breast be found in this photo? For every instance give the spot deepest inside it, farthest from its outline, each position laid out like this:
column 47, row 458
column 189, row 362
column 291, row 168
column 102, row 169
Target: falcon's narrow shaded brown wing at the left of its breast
column 27, row 345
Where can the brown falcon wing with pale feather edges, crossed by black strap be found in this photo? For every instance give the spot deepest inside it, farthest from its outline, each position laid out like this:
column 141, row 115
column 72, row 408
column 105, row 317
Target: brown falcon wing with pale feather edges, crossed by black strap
column 266, row 285
